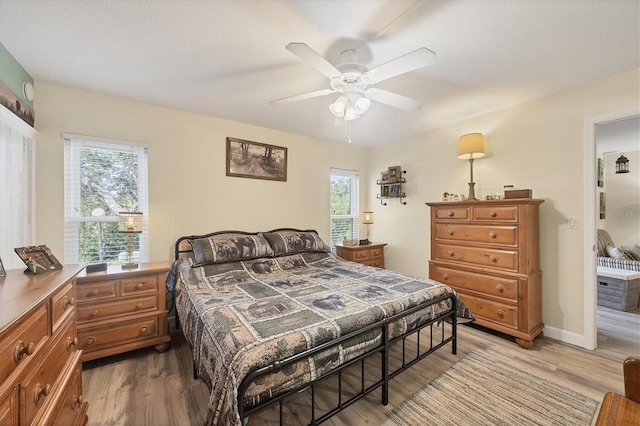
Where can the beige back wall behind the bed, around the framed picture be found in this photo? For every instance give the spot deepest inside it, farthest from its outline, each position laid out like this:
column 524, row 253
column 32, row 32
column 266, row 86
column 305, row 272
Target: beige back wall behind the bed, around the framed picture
column 188, row 190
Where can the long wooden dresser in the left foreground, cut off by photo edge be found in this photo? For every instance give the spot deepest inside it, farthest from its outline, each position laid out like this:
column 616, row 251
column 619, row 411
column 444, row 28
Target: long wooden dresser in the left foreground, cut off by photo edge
column 40, row 363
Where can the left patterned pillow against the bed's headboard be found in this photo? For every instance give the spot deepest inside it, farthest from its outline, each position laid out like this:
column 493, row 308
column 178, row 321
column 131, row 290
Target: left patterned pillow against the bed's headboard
column 229, row 247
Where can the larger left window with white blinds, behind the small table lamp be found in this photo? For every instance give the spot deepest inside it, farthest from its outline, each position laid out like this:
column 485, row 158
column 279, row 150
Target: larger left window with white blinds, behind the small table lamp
column 103, row 178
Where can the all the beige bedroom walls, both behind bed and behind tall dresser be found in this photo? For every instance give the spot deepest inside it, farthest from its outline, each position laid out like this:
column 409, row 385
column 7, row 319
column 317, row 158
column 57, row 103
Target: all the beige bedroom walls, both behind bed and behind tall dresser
column 537, row 145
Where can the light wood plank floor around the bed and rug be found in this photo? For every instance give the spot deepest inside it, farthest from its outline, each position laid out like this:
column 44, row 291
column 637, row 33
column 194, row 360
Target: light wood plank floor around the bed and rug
column 144, row 387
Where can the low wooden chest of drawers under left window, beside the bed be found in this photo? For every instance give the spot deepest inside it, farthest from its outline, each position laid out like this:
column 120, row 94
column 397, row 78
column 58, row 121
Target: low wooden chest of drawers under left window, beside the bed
column 122, row 309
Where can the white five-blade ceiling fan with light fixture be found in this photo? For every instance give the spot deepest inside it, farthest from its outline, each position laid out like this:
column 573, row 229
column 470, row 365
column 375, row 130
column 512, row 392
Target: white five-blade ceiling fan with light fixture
column 352, row 80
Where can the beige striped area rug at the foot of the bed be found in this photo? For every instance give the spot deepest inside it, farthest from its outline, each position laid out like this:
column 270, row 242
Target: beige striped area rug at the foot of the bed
column 478, row 390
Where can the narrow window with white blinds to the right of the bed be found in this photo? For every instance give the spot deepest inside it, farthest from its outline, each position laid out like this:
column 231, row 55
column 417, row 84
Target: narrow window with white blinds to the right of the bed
column 345, row 210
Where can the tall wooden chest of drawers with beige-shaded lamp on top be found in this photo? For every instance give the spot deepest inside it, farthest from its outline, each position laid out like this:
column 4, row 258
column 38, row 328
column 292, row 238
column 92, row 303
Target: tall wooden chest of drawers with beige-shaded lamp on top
column 488, row 251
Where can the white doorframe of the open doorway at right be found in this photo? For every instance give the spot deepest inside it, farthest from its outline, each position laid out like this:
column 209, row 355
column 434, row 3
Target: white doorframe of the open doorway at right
column 589, row 234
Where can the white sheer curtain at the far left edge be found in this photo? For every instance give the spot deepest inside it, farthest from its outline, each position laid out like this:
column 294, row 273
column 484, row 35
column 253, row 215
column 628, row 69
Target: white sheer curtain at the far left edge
column 17, row 187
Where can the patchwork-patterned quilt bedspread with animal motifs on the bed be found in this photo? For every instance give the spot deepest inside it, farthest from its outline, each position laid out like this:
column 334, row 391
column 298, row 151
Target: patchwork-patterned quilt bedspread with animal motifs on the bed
column 243, row 315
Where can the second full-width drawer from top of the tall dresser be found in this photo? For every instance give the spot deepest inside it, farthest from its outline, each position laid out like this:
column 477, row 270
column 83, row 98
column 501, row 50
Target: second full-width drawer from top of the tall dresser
column 502, row 259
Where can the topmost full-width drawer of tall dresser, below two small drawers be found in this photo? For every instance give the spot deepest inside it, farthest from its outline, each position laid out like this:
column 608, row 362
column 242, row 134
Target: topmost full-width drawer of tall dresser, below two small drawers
column 484, row 234
